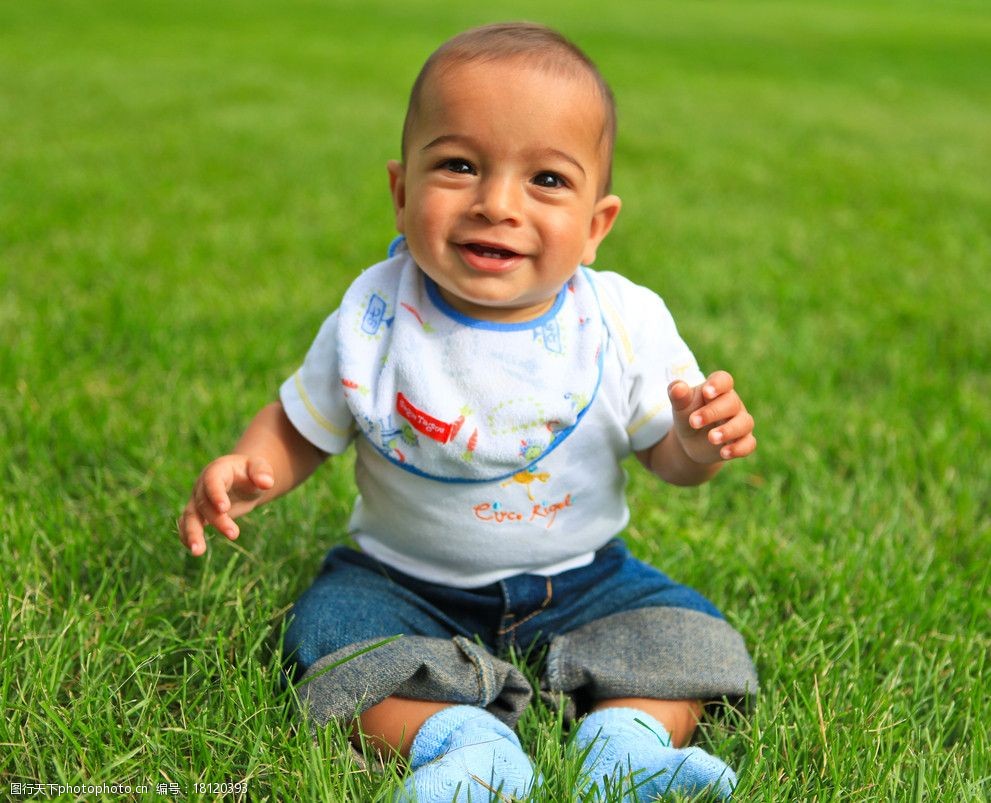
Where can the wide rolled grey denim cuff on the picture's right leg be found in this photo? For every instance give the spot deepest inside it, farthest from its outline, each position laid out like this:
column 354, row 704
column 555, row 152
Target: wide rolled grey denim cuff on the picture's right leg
column 664, row 653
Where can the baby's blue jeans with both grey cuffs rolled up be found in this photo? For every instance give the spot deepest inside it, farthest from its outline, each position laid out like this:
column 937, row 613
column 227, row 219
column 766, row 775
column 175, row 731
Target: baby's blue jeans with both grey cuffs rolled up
column 615, row 628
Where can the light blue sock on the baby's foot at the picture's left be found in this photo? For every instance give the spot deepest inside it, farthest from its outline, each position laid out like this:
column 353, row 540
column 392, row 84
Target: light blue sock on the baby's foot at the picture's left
column 465, row 754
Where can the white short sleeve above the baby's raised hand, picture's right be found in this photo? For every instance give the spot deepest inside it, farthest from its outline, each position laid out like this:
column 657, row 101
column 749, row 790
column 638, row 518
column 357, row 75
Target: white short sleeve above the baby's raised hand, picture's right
column 653, row 353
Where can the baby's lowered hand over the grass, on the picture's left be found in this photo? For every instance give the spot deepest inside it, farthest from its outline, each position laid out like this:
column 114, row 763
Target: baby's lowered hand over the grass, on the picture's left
column 228, row 488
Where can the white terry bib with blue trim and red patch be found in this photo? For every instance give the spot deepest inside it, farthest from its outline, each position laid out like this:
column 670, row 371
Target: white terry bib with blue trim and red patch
column 458, row 399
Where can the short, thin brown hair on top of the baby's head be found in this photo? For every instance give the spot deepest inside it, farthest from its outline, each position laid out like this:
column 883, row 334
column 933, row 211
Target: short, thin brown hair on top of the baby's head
column 542, row 46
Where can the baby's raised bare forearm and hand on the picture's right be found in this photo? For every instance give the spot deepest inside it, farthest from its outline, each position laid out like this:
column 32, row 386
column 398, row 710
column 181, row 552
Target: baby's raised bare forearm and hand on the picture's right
column 711, row 425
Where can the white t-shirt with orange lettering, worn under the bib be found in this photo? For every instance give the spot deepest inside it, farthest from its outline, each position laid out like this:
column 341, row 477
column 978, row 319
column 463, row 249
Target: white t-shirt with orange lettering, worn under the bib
column 547, row 518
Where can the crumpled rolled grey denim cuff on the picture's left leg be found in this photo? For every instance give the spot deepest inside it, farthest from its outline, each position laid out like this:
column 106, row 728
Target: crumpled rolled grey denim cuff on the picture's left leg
column 347, row 682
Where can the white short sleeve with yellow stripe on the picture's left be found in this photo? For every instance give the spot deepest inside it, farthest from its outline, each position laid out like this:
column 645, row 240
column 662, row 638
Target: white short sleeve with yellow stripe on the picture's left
column 312, row 396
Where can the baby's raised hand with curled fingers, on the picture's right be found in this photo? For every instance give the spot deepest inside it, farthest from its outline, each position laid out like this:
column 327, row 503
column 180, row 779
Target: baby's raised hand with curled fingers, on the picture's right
column 710, row 420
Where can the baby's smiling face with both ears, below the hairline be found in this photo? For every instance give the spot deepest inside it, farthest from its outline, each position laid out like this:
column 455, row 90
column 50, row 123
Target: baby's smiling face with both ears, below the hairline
column 499, row 196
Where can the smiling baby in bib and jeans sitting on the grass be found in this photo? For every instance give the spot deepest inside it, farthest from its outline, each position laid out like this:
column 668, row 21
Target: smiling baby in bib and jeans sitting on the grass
column 492, row 384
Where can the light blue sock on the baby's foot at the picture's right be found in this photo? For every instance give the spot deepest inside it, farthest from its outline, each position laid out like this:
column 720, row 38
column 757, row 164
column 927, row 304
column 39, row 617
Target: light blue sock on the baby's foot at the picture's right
column 624, row 742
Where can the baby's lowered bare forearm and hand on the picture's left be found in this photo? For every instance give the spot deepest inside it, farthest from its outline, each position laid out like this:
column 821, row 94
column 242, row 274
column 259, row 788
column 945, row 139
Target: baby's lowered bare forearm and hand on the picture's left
column 270, row 459
